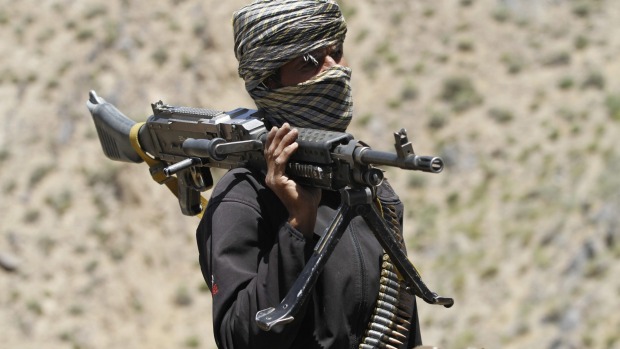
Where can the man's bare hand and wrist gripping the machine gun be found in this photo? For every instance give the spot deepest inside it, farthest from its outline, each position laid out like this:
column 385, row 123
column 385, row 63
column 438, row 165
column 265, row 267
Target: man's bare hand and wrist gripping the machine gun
column 301, row 202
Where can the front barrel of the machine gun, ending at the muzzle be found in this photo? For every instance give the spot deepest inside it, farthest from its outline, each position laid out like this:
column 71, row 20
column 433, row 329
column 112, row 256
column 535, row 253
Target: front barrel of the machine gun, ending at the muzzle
column 431, row 164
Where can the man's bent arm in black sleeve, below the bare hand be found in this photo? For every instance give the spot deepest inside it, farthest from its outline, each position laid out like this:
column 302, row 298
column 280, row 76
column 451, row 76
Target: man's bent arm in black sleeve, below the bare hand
column 249, row 263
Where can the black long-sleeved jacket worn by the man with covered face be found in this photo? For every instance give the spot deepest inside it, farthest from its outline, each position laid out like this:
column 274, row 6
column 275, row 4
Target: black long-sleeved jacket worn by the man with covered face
column 250, row 257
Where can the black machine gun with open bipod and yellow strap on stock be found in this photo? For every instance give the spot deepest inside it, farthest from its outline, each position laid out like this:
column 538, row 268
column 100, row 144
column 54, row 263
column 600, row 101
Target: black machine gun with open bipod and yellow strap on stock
column 182, row 144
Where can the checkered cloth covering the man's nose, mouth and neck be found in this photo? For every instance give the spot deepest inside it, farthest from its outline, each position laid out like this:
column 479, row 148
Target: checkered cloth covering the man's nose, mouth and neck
column 322, row 102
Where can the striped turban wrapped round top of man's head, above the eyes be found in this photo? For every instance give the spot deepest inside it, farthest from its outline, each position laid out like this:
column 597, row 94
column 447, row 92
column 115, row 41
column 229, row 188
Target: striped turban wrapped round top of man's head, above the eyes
column 269, row 33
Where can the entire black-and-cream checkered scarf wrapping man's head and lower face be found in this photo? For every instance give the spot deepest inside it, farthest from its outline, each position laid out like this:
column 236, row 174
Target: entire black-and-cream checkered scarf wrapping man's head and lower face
column 270, row 33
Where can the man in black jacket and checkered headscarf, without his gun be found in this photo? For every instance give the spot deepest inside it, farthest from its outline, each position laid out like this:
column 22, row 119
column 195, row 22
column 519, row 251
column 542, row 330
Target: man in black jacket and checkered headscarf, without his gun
column 259, row 229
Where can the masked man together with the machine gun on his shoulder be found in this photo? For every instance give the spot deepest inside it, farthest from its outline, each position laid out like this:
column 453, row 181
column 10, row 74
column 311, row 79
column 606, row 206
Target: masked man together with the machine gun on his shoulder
column 301, row 241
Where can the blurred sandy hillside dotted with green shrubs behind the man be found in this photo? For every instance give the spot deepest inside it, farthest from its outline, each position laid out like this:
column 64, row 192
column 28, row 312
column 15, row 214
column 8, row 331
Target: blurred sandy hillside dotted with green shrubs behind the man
column 520, row 97
